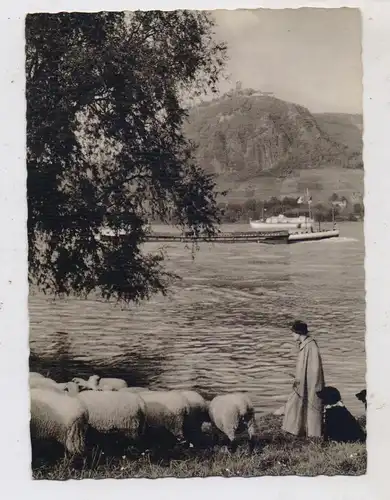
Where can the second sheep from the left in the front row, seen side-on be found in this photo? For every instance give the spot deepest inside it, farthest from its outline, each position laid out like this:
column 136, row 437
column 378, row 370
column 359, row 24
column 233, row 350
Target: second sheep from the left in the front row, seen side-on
column 111, row 411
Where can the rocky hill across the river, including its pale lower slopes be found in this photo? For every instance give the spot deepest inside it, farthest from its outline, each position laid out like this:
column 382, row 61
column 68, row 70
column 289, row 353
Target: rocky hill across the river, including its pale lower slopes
column 260, row 146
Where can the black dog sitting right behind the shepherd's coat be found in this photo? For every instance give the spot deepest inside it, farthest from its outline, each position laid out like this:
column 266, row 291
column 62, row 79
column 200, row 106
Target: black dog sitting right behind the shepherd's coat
column 339, row 424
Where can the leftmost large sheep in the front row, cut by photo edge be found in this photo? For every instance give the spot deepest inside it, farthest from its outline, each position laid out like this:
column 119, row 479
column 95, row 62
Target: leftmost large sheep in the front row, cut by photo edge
column 58, row 417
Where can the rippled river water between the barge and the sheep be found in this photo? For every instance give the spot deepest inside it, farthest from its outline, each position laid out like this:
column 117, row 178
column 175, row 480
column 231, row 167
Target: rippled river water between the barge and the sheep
column 224, row 326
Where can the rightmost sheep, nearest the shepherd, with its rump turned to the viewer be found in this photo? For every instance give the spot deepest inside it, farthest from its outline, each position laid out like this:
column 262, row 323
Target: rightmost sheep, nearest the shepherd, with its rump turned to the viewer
column 232, row 414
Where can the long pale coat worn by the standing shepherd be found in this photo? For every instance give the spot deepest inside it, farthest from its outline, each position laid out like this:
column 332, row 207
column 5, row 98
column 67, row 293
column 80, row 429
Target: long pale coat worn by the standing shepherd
column 304, row 410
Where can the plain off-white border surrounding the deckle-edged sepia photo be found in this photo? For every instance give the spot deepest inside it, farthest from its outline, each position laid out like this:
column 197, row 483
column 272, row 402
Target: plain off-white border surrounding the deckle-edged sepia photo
column 14, row 438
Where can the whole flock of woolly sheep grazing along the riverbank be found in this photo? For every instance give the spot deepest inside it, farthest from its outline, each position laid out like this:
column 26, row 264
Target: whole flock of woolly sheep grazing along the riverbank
column 65, row 412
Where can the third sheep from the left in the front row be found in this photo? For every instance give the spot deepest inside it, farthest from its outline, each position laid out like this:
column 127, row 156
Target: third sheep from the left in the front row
column 166, row 410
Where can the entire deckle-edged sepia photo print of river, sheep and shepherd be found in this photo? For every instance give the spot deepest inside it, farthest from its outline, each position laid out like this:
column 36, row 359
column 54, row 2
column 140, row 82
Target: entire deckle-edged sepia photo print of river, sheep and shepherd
column 195, row 194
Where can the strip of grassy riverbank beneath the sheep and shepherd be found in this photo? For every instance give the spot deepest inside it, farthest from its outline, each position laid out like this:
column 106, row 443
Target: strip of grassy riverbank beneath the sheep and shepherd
column 277, row 454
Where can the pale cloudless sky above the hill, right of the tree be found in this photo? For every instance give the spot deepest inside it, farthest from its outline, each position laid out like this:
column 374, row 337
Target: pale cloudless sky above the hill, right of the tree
column 307, row 56
